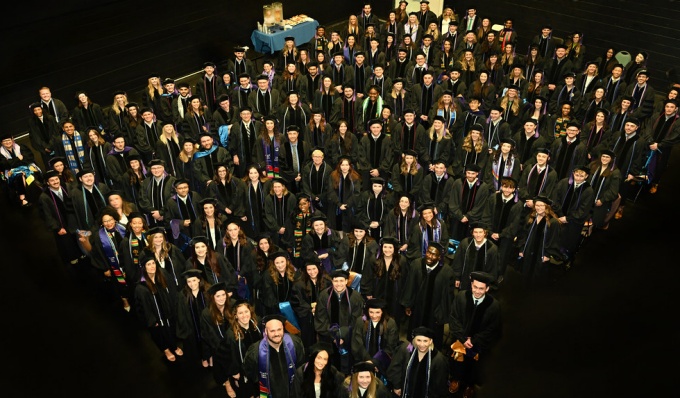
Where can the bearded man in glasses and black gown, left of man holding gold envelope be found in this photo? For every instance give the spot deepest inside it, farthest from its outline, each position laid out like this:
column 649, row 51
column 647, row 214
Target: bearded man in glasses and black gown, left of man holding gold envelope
column 429, row 292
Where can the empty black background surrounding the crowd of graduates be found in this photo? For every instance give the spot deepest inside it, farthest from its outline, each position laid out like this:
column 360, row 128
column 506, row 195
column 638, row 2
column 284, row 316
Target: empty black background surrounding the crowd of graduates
column 604, row 330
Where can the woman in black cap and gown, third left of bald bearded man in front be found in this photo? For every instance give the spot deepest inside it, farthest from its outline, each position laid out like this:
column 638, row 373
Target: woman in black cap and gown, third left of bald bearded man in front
column 193, row 299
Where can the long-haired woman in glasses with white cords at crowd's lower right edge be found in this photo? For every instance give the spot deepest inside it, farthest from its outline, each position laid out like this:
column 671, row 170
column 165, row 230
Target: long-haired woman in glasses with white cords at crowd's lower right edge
column 538, row 241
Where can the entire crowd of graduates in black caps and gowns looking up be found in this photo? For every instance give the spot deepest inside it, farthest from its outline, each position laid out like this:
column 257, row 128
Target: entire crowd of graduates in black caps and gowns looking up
column 288, row 227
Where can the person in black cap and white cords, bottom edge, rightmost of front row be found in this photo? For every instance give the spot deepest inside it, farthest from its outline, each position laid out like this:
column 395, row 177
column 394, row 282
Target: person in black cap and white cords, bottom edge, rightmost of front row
column 419, row 369
